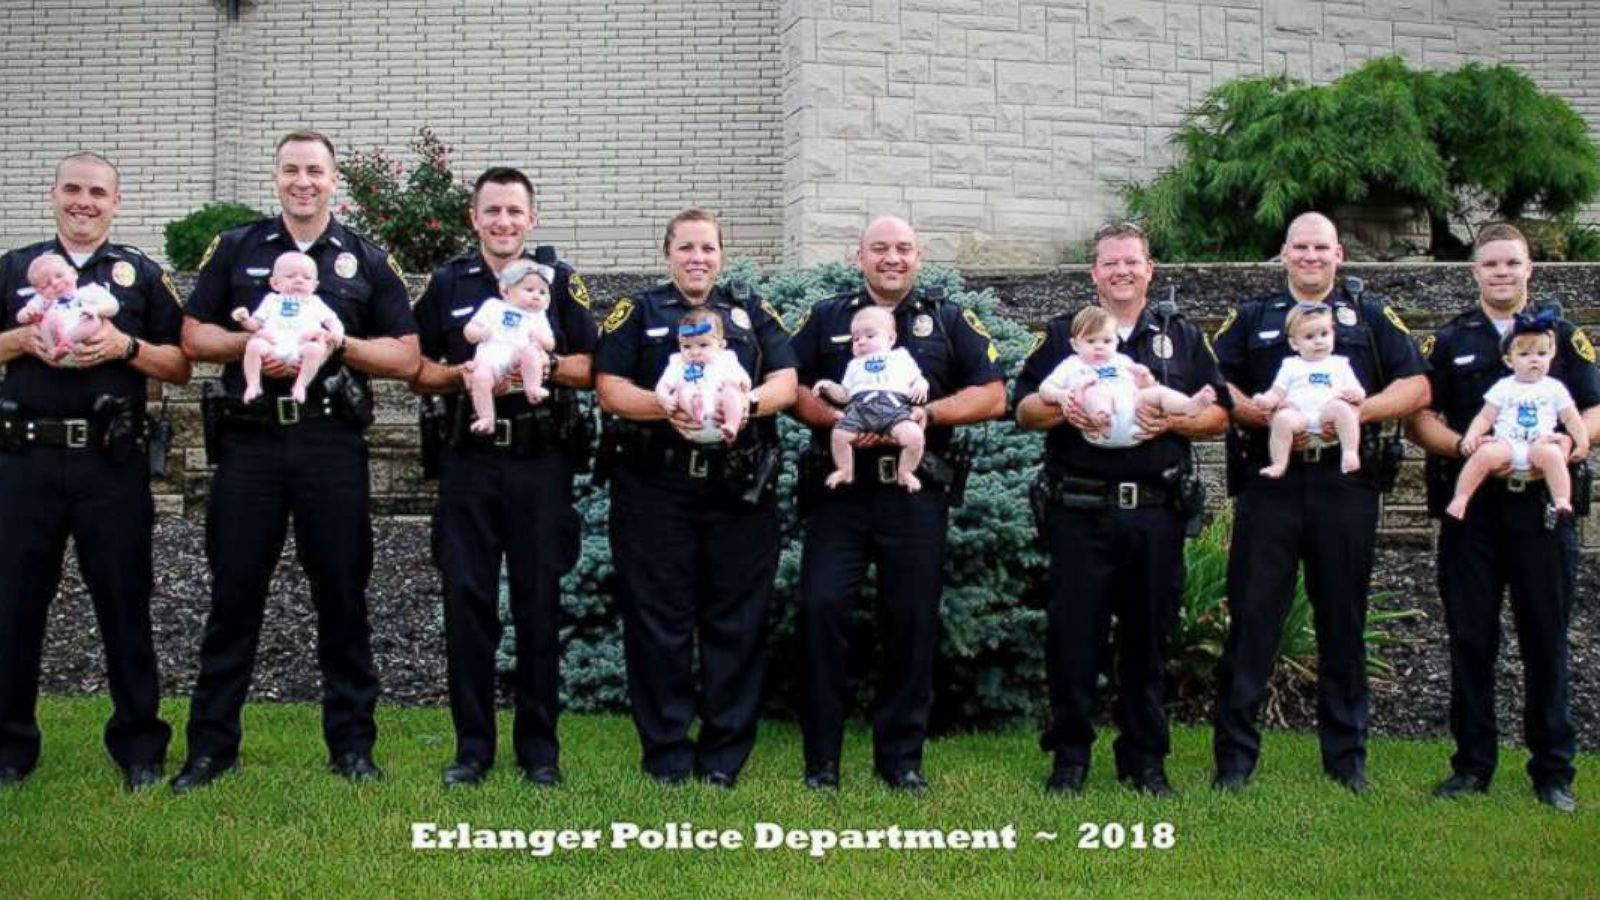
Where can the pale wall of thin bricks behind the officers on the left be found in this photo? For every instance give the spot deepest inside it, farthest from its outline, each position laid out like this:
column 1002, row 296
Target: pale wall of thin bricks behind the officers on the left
column 623, row 111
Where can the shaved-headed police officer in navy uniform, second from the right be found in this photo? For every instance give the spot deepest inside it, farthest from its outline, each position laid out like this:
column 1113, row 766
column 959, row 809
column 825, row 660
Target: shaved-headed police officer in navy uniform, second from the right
column 1314, row 513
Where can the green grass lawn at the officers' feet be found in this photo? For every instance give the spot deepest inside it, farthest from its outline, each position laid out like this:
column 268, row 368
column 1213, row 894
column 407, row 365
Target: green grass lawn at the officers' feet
column 284, row 827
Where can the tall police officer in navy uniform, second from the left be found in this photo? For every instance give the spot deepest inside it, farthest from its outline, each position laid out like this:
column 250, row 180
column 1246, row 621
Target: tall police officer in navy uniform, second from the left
column 281, row 459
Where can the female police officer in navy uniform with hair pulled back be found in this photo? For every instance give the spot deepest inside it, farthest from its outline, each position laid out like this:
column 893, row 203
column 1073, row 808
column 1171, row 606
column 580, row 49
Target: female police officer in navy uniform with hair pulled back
column 694, row 528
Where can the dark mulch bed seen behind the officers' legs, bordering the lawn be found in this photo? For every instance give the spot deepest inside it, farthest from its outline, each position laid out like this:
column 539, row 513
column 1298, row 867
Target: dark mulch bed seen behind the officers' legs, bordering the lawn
column 409, row 637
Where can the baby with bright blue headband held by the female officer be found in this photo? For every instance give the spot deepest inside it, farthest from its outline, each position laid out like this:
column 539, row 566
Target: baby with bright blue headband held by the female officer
column 705, row 379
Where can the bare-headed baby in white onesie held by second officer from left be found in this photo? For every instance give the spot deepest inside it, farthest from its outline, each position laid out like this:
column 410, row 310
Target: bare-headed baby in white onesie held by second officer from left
column 292, row 324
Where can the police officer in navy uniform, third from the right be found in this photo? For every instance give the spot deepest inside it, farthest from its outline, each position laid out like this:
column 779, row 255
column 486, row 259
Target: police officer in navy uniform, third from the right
column 1114, row 523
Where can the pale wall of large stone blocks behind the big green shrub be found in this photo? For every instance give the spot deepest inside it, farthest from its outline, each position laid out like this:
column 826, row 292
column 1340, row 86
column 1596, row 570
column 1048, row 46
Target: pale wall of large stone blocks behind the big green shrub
column 1001, row 127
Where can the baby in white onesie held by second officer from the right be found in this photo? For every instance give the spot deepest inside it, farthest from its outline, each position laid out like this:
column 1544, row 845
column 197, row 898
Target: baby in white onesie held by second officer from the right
column 1310, row 390
